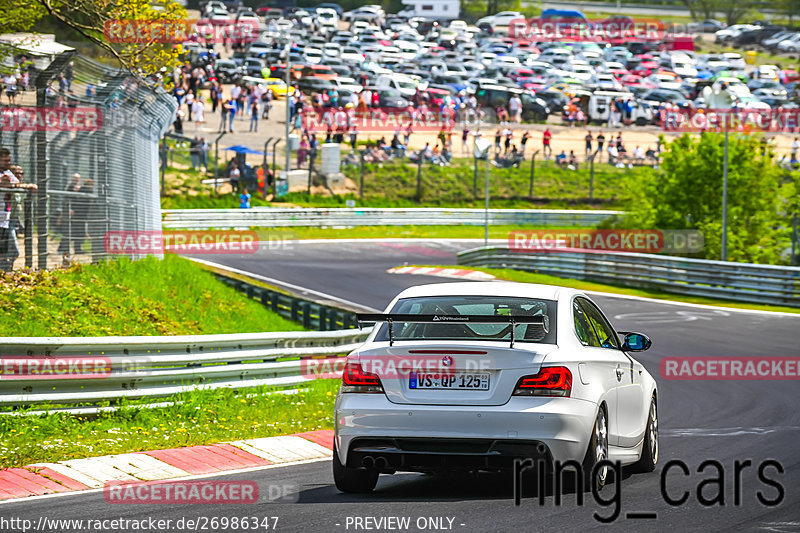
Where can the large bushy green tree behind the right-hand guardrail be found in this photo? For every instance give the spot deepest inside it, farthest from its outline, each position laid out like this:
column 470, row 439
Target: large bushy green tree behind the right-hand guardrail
column 686, row 193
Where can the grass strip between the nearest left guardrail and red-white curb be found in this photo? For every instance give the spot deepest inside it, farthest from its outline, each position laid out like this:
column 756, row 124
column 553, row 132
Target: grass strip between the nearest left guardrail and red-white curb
column 201, row 417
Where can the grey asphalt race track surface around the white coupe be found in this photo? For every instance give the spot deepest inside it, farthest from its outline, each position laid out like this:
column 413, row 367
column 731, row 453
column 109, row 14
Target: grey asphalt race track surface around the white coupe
column 724, row 421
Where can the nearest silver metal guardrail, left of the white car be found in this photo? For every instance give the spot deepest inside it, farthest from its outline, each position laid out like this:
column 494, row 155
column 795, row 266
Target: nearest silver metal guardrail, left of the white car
column 153, row 367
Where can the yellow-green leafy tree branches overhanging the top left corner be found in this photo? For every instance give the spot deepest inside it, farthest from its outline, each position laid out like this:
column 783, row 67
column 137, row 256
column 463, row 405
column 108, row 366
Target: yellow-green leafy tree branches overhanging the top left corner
column 89, row 17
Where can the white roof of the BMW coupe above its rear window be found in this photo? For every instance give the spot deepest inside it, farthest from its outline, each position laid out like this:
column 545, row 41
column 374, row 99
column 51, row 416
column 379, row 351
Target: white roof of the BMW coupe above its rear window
column 483, row 288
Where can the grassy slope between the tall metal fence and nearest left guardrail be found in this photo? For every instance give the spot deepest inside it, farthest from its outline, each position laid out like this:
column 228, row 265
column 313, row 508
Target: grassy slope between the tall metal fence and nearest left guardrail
column 172, row 296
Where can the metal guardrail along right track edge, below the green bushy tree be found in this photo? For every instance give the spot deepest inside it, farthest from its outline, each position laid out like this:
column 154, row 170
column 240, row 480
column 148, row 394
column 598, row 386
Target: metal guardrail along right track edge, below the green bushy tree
column 776, row 285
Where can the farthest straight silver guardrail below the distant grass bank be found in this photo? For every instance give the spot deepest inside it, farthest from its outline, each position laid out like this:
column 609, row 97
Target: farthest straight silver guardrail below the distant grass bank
column 343, row 217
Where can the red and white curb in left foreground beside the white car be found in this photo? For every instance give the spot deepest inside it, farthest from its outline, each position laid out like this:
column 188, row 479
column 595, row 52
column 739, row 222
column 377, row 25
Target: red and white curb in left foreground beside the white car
column 95, row 472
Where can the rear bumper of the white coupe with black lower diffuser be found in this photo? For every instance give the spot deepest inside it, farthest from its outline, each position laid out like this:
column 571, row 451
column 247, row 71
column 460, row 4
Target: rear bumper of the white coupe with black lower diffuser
column 425, row 437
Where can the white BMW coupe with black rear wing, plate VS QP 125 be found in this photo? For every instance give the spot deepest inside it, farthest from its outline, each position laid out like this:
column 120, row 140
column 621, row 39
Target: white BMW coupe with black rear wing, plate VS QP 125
column 477, row 376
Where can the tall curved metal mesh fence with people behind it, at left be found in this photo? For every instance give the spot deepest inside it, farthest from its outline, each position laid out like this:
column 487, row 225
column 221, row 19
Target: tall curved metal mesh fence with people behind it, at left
column 93, row 177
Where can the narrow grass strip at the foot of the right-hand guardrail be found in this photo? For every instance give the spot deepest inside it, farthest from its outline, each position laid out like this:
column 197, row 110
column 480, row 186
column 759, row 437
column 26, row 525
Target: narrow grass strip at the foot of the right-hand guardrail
column 545, row 279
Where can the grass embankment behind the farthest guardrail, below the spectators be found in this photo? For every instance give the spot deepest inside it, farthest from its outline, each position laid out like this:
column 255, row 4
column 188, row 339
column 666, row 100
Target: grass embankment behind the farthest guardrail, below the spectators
column 394, row 184
